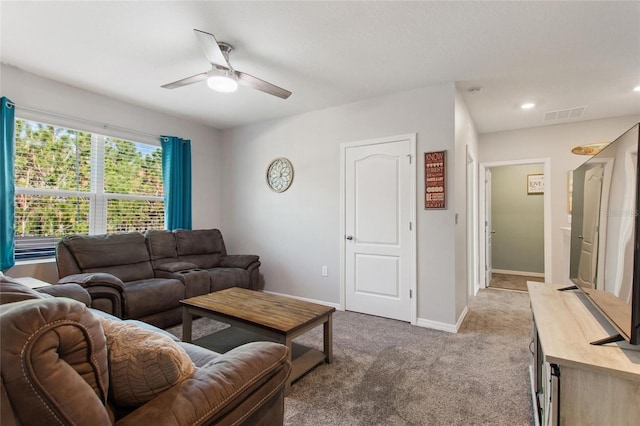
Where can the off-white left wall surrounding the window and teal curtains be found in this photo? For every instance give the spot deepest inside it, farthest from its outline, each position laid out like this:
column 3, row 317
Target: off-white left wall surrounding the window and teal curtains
column 28, row 90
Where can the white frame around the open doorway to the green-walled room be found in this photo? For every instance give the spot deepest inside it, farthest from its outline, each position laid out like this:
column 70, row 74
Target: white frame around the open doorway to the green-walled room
column 547, row 212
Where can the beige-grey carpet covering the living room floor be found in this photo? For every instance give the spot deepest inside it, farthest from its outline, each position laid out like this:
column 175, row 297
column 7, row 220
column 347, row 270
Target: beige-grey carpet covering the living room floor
column 391, row 373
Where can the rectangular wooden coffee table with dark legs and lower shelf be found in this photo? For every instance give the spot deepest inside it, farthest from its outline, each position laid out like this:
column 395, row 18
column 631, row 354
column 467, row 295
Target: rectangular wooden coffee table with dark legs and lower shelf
column 262, row 316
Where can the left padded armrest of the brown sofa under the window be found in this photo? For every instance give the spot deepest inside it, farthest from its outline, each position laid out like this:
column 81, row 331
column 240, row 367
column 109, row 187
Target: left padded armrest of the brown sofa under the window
column 106, row 290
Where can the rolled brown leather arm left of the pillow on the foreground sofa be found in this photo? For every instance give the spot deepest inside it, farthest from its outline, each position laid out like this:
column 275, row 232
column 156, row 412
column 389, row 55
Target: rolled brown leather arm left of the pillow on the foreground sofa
column 62, row 350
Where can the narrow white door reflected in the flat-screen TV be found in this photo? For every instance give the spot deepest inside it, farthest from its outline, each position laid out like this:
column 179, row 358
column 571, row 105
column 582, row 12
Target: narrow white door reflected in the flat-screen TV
column 588, row 264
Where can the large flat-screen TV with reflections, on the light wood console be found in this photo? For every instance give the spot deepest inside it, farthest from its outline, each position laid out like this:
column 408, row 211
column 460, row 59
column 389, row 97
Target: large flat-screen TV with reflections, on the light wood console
column 605, row 242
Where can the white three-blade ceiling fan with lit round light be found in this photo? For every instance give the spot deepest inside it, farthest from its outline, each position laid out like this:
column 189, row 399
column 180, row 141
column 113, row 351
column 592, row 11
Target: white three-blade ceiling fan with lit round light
column 222, row 77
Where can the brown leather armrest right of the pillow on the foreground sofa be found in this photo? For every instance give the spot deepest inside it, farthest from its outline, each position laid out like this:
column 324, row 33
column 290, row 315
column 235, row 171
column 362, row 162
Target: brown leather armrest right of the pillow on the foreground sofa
column 233, row 389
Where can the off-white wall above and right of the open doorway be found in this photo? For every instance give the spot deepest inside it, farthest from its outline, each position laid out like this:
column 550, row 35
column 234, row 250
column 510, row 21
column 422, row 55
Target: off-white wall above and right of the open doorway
column 554, row 142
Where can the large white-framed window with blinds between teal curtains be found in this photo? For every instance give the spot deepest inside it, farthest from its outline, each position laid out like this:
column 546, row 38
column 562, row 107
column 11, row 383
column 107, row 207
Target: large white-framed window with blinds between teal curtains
column 74, row 182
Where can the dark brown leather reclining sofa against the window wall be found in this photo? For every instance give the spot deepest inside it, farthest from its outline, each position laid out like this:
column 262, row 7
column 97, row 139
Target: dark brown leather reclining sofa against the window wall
column 144, row 276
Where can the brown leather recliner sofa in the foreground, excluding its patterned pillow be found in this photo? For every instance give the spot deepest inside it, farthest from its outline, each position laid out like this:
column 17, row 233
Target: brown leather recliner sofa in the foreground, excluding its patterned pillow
column 54, row 370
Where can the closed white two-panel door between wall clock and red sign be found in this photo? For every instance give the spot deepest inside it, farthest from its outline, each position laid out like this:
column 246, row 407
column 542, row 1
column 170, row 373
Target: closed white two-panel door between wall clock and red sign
column 378, row 228
